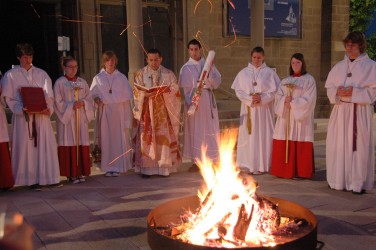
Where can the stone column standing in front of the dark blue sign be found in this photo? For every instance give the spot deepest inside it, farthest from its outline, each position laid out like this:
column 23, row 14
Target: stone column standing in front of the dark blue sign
column 257, row 23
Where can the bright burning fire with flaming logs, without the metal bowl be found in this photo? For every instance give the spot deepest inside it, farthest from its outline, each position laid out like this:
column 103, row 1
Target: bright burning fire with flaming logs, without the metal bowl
column 230, row 214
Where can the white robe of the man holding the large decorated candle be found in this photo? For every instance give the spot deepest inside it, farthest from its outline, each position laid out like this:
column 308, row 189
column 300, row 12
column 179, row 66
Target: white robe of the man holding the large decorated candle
column 201, row 128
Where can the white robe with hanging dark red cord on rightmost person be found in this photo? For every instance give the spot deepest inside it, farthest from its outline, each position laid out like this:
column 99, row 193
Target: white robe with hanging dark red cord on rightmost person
column 346, row 169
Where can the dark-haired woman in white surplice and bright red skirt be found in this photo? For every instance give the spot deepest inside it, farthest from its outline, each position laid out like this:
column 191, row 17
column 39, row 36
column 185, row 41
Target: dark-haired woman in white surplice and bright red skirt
column 295, row 111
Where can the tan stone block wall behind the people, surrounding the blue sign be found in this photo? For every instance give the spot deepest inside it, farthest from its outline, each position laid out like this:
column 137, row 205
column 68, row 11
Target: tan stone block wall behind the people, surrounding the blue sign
column 230, row 60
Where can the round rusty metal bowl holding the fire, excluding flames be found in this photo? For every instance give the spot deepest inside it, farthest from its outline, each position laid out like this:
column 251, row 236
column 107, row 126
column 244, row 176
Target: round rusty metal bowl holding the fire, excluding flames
column 169, row 212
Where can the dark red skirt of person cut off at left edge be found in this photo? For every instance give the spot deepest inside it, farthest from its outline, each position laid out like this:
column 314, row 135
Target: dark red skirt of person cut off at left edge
column 6, row 172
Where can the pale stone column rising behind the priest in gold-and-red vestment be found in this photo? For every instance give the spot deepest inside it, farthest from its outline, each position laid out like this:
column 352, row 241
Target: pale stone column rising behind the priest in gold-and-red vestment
column 135, row 52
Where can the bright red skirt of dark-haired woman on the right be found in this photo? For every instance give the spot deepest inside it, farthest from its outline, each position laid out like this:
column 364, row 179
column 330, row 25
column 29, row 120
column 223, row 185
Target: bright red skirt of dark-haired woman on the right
column 301, row 161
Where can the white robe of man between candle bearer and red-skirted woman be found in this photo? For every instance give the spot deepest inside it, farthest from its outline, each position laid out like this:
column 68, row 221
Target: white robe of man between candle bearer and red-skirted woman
column 254, row 150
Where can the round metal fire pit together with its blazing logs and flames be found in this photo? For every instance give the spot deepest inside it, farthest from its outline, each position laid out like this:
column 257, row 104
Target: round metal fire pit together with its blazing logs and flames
column 227, row 213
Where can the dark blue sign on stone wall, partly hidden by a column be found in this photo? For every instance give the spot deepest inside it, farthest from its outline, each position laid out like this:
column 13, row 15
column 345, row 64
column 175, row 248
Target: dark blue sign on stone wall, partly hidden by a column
column 281, row 18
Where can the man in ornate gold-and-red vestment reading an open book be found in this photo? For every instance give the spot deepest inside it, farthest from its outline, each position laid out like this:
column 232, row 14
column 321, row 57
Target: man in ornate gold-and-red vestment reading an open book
column 157, row 119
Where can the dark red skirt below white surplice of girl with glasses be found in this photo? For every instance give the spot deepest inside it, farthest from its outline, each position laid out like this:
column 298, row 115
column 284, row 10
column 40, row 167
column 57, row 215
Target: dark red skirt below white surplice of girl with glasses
column 67, row 161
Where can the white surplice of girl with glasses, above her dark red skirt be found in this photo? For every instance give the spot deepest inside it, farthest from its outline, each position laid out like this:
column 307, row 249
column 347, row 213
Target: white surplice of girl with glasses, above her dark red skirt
column 66, row 122
